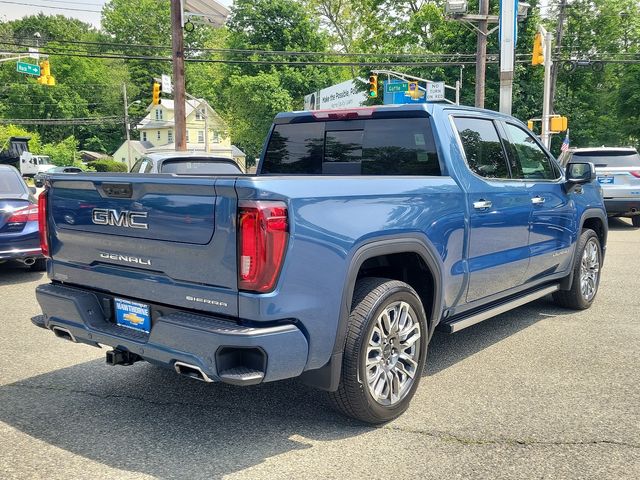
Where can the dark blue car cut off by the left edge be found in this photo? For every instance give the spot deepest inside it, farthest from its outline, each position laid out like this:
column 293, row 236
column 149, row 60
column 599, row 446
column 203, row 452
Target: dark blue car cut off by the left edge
column 19, row 236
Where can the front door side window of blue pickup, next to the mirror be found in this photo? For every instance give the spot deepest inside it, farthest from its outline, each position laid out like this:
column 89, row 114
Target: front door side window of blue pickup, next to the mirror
column 530, row 160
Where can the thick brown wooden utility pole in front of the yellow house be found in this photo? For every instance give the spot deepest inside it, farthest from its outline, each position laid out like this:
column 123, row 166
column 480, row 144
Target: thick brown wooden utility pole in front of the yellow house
column 177, row 41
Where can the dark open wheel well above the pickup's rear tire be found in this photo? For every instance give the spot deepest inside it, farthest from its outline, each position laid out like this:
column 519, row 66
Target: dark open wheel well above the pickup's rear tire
column 407, row 267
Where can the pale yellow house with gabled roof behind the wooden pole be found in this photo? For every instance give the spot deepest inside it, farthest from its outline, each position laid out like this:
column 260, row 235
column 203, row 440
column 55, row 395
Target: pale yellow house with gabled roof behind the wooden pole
column 157, row 132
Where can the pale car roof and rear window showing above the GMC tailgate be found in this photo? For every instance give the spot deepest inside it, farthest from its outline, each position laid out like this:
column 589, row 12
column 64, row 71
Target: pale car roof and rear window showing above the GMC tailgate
column 186, row 163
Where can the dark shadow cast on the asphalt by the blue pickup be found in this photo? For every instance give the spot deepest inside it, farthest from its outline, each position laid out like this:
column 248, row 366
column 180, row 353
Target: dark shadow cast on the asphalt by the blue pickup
column 148, row 420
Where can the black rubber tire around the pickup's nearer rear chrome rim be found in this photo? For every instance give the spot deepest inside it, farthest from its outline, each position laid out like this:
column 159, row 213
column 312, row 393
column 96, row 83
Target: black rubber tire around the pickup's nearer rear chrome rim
column 353, row 397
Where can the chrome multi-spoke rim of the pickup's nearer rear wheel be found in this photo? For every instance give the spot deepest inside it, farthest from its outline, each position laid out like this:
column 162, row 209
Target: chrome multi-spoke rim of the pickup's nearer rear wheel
column 393, row 353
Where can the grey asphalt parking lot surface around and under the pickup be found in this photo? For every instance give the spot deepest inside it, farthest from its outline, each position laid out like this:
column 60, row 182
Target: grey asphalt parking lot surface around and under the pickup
column 539, row 392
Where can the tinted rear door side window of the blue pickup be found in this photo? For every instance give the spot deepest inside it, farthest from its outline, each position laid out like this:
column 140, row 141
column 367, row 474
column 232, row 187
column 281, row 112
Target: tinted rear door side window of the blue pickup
column 482, row 147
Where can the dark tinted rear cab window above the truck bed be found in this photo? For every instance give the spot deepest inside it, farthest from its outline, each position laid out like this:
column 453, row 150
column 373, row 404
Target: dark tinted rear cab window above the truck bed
column 391, row 146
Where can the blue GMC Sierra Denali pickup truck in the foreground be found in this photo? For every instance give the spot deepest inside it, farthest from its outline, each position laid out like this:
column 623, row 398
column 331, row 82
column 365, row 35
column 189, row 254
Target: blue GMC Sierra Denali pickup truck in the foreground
column 363, row 231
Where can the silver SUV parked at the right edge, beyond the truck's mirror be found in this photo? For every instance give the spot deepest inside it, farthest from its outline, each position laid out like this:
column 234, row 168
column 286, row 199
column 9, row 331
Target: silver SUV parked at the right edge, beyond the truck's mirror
column 618, row 171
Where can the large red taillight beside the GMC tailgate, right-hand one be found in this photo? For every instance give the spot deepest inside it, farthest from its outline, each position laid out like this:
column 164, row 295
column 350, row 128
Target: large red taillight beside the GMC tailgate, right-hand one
column 262, row 240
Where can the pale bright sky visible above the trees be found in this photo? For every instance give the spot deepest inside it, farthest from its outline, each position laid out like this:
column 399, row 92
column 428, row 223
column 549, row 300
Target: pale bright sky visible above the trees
column 85, row 10
